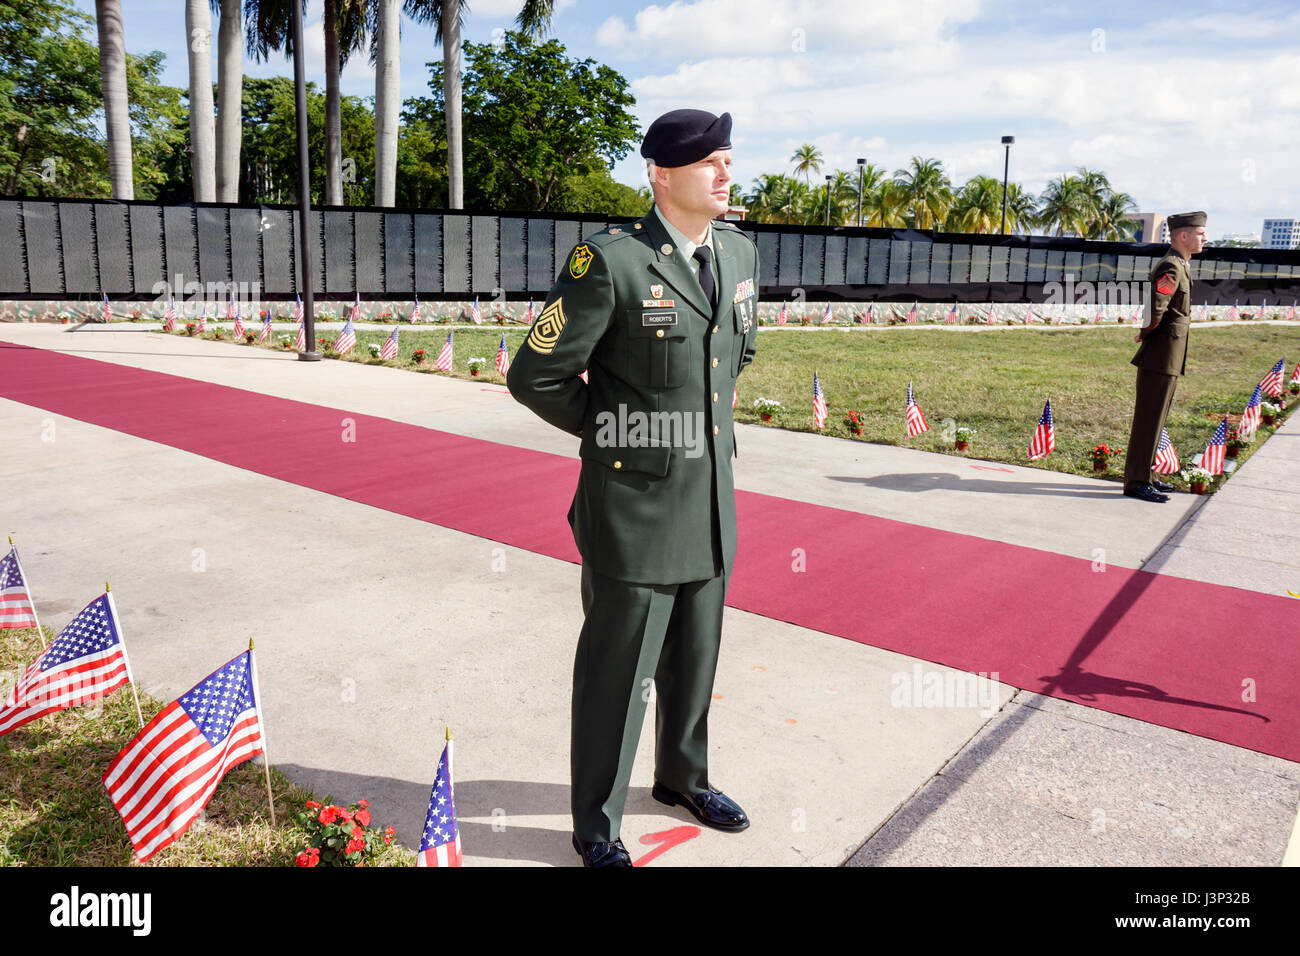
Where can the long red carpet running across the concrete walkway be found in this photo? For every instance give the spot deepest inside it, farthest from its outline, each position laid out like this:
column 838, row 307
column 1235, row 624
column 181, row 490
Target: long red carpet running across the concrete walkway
column 1162, row 650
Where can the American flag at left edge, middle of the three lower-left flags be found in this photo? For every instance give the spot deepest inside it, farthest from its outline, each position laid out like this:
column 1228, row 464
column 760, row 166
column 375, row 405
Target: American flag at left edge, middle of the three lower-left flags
column 86, row 661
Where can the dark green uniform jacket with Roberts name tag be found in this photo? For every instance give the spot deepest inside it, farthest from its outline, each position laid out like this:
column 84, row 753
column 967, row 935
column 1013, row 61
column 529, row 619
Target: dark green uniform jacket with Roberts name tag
column 656, row 503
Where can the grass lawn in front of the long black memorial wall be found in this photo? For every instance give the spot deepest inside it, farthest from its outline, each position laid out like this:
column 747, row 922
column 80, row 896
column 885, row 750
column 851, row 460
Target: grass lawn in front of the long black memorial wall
column 993, row 380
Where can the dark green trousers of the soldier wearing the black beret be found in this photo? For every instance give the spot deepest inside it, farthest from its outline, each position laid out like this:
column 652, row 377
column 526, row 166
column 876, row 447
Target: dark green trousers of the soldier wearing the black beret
column 635, row 634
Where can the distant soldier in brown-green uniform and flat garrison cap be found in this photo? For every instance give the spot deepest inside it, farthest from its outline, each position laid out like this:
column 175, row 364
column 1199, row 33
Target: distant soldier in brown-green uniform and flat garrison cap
column 1162, row 358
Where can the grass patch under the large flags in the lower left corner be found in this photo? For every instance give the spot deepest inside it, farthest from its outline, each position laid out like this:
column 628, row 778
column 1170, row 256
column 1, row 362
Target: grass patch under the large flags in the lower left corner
column 55, row 811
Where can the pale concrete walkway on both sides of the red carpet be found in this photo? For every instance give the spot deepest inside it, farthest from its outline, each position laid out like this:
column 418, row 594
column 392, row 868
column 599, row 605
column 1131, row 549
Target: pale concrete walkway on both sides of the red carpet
column 375, row 631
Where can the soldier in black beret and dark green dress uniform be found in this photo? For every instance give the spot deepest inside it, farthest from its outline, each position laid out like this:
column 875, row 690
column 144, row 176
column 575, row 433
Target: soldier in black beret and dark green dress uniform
column 662, row 317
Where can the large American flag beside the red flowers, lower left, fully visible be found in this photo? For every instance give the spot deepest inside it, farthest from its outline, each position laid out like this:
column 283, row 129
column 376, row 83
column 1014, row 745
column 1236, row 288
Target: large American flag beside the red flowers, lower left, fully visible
column 167, row 775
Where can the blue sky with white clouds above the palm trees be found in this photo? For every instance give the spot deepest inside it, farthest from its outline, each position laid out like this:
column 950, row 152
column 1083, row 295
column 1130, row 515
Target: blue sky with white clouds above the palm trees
column 1184, row 107
